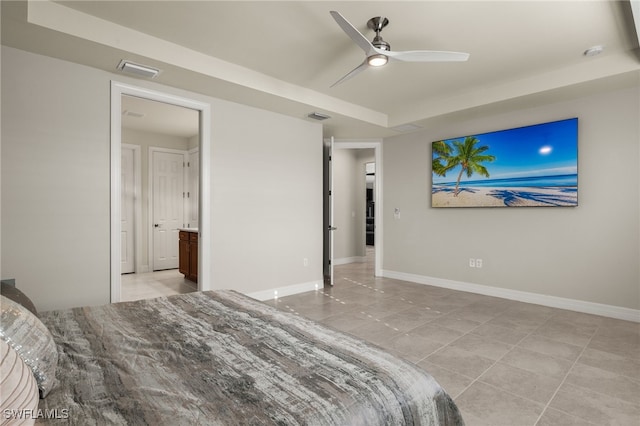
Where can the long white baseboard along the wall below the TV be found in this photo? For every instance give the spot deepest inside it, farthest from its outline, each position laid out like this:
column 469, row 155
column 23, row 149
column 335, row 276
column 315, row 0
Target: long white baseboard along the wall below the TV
column 610, row 311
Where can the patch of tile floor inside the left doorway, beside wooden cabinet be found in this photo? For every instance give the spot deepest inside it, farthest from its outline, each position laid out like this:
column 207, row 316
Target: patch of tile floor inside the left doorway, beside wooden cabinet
column 154, row 284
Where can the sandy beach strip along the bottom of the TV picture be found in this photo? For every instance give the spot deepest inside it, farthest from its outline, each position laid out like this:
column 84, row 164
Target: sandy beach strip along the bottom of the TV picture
column 442, row 196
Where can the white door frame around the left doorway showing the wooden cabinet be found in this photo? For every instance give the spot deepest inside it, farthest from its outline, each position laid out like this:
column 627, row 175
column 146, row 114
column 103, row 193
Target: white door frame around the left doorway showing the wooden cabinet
column 205, row 232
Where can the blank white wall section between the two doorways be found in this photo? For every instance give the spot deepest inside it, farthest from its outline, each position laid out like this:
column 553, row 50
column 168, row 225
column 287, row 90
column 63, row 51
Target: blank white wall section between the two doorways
column 267, row 199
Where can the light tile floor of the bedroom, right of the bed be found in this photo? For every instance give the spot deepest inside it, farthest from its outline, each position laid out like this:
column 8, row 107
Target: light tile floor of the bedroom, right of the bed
column 504, row 362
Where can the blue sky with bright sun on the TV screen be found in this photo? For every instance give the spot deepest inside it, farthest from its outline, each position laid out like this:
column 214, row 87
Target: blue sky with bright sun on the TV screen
column 547, row 149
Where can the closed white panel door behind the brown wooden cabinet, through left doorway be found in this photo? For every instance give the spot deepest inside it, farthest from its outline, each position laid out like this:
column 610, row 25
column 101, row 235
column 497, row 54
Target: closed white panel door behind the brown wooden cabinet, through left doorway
column 168, row 207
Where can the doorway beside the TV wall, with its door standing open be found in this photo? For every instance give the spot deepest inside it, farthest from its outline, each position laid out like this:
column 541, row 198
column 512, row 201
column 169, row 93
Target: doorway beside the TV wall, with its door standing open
column 345, row 222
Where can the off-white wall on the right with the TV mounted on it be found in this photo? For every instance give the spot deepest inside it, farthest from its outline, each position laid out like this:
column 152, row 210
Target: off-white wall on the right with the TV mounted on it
column 588, row 253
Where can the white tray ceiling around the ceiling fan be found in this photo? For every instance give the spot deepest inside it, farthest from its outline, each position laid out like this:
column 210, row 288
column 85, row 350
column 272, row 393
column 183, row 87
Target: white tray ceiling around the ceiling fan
column 283, row 56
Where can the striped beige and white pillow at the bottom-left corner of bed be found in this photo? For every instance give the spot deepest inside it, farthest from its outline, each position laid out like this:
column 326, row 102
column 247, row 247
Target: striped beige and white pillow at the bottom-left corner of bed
column 18, row 388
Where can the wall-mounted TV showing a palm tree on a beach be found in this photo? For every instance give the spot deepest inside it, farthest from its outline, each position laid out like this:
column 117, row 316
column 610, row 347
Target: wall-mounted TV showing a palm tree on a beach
column 533, row 166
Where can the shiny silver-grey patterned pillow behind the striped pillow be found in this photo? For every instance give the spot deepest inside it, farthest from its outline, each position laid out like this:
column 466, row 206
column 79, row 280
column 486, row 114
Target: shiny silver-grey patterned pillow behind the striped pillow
column 31, row 339
